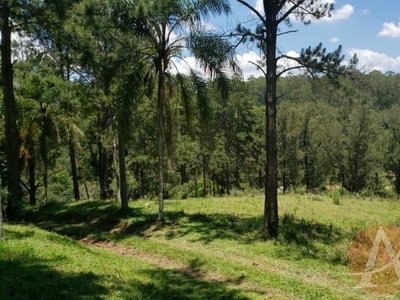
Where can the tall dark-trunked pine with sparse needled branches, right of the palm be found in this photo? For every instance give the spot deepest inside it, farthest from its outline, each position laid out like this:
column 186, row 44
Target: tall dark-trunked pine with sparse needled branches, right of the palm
column 272, row 15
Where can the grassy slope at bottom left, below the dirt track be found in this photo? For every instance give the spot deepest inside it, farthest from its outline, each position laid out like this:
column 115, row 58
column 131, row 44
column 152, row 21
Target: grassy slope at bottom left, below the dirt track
column 35, row 264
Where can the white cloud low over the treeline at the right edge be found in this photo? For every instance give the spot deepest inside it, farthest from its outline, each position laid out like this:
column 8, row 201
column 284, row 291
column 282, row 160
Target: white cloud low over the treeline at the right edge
column 376, row 61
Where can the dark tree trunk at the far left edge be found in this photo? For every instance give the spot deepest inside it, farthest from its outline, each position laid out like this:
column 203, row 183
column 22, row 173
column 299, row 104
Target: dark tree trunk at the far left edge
column 11, row 130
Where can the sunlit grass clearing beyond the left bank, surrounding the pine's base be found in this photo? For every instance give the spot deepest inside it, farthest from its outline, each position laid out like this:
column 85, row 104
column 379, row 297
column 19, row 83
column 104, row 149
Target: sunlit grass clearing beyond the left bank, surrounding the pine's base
column 221, row 237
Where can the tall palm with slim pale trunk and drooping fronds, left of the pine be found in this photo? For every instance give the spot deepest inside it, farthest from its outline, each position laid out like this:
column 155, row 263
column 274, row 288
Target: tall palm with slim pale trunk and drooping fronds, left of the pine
column 168, row 28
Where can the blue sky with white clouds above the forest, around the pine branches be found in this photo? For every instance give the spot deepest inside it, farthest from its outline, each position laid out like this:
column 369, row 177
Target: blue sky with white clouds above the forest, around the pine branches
column 369, row 28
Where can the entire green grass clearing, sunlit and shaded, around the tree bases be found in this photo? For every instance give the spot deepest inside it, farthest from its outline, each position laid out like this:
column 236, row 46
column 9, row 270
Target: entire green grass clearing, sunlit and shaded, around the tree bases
column 207, row 248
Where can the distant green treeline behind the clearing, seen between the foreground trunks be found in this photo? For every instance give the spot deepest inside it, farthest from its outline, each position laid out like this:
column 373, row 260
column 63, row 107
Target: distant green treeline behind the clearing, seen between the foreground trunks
column 342, row 132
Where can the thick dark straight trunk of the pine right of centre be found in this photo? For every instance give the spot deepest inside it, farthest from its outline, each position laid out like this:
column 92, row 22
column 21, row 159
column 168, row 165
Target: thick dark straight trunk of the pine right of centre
column 271, row 220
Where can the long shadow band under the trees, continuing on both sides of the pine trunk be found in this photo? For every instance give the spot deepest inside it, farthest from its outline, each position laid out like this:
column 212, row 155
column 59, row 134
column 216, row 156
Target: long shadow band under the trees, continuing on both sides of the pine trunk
column 103, row 221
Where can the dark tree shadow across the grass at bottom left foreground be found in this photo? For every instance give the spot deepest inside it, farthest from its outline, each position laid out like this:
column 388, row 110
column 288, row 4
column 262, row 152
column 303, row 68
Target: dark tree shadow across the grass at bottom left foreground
column 31, row 279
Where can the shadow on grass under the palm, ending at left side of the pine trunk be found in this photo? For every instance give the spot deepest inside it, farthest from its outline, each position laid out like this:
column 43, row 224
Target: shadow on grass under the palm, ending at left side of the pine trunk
column 100, row 219
